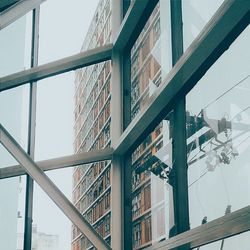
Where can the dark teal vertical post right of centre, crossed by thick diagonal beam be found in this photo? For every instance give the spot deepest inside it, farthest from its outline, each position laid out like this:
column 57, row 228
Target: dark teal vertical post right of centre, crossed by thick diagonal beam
column 179, row 175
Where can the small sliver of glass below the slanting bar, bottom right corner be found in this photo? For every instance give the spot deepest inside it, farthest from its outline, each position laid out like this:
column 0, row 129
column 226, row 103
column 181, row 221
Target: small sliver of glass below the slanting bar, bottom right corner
column 238, row 242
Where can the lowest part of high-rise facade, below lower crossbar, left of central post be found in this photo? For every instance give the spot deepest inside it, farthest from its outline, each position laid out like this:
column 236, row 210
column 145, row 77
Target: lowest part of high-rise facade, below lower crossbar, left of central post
column 92, row 197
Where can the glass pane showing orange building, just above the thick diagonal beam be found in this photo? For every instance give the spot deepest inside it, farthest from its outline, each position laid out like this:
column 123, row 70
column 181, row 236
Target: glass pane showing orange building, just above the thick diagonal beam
column 150, row 57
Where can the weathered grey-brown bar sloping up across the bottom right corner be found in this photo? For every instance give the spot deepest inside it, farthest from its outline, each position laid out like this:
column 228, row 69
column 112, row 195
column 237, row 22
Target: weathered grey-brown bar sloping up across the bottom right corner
column 226, row 226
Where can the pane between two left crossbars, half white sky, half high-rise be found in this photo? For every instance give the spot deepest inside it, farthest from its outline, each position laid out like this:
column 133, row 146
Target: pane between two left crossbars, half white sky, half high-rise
column 74, row 118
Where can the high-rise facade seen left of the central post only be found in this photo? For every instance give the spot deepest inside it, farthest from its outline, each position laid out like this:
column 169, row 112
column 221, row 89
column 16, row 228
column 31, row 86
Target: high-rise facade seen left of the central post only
column 92, row 183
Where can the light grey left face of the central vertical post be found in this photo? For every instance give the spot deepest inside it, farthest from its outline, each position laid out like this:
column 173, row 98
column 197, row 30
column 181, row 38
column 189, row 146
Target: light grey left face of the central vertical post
column 116, row 130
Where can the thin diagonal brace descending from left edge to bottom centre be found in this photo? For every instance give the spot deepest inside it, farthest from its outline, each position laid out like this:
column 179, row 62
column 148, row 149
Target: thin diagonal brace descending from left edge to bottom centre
column 51, row 189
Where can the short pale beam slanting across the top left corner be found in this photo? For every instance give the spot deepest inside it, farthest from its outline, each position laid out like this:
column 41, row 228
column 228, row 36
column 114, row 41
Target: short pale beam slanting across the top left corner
column 17, row 10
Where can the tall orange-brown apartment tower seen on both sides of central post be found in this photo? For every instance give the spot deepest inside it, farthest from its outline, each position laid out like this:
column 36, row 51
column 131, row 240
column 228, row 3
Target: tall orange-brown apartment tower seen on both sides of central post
column 92, row 183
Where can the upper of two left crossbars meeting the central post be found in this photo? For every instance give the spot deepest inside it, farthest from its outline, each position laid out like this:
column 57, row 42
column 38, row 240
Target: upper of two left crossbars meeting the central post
column 80, row 60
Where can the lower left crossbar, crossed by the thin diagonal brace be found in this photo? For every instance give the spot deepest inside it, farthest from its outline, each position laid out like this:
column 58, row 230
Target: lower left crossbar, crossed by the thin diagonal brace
column 62, row 162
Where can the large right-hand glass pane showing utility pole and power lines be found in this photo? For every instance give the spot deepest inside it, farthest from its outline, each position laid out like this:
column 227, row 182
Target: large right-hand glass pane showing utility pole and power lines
column 218, row 131
